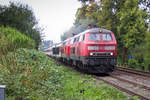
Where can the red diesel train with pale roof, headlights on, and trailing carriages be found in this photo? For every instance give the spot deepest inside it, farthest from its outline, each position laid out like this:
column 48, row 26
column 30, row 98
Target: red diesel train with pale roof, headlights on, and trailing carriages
column 94, row 50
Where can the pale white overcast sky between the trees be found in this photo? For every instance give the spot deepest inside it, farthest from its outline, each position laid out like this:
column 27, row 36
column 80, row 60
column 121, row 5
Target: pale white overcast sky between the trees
column 55, row 16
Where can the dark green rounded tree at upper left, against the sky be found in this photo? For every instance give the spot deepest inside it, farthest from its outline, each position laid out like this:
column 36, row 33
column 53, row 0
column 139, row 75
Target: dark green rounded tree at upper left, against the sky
column 20, row 17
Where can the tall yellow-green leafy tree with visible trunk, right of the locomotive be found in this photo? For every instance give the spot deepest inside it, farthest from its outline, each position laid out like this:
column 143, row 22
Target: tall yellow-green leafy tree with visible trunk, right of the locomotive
column 132, row 26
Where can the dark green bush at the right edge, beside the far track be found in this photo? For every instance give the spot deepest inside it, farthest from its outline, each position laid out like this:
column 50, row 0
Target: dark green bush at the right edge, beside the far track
column 141, row 55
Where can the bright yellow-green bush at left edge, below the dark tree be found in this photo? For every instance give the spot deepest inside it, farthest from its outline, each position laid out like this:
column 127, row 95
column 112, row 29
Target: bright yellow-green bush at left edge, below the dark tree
column 11, row 39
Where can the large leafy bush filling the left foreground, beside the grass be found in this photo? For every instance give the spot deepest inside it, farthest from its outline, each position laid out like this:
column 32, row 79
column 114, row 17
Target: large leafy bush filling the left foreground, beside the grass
column 29, row 75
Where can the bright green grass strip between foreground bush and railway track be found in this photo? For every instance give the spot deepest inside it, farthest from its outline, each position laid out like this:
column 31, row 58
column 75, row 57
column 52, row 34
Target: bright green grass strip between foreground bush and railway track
column 77, row 86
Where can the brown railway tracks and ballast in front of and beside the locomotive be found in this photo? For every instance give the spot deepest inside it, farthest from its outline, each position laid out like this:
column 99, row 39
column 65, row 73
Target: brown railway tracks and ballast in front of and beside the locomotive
column 135, row 83
